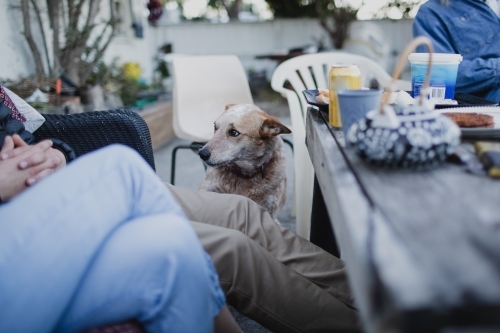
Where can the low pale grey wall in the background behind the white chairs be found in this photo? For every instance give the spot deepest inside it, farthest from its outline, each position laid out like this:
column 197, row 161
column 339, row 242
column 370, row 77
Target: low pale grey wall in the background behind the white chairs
column 248, row 40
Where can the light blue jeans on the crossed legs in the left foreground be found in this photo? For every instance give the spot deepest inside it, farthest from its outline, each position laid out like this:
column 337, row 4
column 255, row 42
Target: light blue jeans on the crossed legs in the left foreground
column 102, row 241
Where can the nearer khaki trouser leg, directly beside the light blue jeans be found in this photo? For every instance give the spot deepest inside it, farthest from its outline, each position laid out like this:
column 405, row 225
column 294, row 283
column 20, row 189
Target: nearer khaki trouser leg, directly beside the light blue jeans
column 267, row 291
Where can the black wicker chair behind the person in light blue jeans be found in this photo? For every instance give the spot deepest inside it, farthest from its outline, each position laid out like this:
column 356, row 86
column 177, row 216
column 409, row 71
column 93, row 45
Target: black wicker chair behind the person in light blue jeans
column 89, row 131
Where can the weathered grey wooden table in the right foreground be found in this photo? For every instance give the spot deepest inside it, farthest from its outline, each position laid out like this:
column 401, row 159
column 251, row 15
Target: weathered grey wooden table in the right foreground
column 422, row 248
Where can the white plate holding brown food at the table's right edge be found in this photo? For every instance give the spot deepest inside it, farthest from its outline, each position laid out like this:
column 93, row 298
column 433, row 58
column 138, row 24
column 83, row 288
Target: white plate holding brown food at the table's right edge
column 480, row 132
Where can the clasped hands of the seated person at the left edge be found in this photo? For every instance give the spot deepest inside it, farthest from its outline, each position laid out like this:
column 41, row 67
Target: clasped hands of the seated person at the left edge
column 24, row 165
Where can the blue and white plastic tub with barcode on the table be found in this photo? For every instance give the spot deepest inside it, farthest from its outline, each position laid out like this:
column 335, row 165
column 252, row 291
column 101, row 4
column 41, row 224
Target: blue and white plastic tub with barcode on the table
column 444, row 71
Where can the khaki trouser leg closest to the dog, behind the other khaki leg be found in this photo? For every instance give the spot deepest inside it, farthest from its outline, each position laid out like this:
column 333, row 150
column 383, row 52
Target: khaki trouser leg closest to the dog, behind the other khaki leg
column 240, row 213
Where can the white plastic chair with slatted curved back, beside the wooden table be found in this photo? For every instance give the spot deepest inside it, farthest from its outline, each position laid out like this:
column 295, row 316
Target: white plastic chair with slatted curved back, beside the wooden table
column 313, row 70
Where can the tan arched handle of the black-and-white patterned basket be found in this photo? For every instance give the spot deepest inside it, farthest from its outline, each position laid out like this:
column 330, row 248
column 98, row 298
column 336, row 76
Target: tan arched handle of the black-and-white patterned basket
column 400, row 66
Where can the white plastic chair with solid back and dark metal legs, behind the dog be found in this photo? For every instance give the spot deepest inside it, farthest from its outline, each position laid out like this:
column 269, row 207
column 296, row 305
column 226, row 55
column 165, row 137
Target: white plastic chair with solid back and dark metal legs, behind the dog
column 203, row 86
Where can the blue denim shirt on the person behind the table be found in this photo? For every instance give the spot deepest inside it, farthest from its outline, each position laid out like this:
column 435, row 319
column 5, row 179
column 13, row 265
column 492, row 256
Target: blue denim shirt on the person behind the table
column 472, row 29
